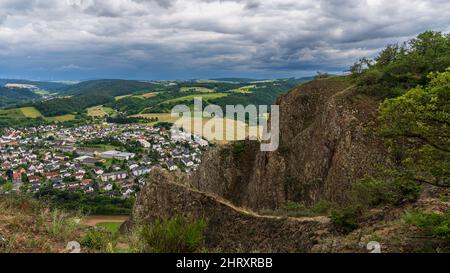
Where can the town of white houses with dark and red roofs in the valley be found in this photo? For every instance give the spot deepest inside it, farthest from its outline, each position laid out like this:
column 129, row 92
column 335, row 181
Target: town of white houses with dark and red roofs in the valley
column 104, row 159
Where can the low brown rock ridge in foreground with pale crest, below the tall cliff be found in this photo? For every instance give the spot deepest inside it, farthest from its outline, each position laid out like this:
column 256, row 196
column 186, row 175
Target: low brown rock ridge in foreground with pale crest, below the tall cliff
column 229, row 228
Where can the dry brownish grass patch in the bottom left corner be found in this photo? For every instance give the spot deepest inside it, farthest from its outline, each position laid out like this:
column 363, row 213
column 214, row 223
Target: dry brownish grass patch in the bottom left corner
column 27, row 226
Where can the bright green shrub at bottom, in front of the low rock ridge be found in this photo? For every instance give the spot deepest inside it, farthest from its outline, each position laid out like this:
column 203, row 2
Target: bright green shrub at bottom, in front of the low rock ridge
column 175, row 235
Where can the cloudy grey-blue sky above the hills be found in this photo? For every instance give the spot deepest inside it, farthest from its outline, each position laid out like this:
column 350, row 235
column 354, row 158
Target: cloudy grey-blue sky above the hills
column 202, row 39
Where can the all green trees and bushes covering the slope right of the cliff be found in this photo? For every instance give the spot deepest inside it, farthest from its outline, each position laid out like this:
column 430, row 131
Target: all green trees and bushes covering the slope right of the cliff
column 414, row 122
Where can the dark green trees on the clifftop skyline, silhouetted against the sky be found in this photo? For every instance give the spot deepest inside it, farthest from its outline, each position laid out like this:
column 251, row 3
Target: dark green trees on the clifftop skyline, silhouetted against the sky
column 399, row 68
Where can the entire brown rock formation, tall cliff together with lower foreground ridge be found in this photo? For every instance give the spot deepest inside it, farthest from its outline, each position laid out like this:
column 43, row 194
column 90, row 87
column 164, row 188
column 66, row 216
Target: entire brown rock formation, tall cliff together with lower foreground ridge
column 325, row 146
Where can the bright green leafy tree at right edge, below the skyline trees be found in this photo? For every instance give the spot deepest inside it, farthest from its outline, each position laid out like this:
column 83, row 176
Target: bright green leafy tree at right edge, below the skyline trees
column 418, row 127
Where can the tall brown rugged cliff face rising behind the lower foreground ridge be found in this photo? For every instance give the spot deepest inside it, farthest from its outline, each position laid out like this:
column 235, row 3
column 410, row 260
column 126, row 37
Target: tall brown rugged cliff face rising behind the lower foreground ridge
column 325, row 146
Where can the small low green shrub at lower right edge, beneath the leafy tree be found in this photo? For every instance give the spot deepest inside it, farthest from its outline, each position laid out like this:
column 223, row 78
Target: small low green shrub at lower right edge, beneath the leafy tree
column 433, row 224
